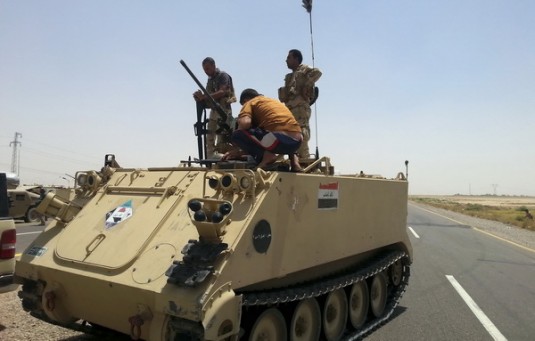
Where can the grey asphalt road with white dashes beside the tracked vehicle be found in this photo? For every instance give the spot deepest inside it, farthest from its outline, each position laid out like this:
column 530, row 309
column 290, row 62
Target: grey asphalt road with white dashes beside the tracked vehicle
column 465, row 285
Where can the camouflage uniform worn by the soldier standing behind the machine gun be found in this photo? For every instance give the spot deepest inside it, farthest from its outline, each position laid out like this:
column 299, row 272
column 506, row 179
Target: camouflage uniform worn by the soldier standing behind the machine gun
column 217, row 143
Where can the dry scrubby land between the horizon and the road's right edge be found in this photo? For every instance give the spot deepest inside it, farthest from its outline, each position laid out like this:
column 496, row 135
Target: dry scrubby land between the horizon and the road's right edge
column 517, row 211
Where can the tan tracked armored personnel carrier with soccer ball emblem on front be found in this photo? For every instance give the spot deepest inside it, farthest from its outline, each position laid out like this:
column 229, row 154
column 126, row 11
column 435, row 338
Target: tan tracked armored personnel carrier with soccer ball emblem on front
column 221, row 252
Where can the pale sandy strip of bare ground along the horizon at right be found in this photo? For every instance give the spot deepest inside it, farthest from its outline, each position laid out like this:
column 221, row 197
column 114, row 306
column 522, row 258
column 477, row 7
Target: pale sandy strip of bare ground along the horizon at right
column 488, row 200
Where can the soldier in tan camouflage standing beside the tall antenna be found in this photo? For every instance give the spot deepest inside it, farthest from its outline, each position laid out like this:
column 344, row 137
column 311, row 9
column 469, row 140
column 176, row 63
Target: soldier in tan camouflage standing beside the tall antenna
column 298, row 93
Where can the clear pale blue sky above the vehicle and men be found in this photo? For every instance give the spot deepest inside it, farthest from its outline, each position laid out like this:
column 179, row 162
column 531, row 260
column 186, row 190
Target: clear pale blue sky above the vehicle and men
column 447, row 85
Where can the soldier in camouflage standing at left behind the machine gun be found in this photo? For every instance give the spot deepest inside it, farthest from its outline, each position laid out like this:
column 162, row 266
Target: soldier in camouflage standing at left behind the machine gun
column 220, row 87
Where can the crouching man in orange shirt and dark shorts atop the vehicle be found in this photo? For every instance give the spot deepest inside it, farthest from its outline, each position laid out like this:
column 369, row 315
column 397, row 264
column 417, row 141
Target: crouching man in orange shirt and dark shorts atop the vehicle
column 266, row 127
